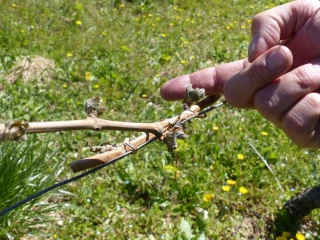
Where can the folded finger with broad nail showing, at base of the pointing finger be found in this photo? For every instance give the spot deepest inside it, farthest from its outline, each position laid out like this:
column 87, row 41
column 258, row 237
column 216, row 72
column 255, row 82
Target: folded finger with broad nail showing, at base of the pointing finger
column 240, row 89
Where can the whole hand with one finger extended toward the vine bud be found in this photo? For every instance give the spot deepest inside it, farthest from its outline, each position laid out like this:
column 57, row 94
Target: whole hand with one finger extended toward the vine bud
column 280, row 78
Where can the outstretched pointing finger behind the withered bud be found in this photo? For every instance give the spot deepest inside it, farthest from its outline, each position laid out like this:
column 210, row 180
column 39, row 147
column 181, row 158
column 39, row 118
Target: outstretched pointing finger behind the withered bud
column 211, row 79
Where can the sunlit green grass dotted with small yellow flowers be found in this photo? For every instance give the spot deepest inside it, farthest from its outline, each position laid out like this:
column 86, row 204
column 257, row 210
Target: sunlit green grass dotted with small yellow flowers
column 124, row 53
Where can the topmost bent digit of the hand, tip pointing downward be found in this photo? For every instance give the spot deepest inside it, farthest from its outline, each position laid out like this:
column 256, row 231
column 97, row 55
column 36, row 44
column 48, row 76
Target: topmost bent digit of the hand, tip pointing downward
column 280, row 23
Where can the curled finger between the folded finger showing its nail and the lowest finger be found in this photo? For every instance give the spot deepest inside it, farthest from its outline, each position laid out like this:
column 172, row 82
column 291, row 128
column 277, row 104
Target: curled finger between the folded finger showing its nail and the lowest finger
column 275, row 99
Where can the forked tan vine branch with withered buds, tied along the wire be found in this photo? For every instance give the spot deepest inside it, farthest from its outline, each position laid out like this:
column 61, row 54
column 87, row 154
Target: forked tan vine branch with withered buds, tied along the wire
column 167, row 130
